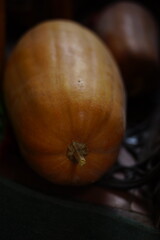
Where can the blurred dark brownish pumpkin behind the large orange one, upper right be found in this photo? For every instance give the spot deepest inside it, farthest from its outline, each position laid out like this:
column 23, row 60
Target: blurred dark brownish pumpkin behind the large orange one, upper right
column 131, row 33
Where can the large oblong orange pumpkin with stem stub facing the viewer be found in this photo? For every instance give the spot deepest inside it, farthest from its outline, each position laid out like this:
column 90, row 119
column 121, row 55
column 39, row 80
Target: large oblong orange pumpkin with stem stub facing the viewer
column 67, row 106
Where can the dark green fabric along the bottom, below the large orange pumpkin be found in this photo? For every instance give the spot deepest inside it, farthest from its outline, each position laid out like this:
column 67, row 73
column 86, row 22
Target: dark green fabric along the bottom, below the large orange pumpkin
column 27, row 215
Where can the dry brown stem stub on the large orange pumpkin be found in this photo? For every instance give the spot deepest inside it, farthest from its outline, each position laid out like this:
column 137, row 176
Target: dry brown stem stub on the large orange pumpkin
column 76, row 153
